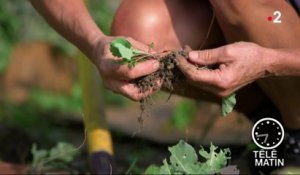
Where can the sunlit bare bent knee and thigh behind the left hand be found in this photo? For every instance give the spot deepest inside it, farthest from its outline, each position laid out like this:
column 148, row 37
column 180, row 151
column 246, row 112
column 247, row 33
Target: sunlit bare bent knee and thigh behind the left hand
column 172, row 24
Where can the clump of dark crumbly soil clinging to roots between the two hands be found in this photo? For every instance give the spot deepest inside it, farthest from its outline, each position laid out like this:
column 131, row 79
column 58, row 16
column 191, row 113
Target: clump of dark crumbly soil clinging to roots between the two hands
column 168, row 75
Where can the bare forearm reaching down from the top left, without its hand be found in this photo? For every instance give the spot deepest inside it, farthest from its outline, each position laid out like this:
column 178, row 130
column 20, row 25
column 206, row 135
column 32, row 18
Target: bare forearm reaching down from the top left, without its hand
column 71, row 19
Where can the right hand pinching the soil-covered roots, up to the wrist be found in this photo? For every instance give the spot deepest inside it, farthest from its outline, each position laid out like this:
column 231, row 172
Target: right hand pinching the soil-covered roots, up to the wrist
column 234, row 66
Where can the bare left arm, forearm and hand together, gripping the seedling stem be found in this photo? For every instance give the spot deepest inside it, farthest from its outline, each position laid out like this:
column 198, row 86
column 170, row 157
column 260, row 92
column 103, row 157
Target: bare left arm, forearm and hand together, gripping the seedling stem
column 71, row 19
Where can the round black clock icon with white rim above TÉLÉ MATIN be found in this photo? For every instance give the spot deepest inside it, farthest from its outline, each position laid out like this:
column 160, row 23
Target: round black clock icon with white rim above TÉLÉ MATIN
column 267, row 133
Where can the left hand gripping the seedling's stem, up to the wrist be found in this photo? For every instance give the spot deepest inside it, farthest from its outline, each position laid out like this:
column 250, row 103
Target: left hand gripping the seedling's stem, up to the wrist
column 118, row 77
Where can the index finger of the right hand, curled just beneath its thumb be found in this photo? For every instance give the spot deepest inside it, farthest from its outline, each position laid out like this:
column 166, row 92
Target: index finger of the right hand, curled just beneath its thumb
column 196, row 75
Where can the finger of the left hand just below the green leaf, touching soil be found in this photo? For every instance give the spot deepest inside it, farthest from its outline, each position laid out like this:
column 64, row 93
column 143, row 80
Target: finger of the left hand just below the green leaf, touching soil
column 123, row 72
